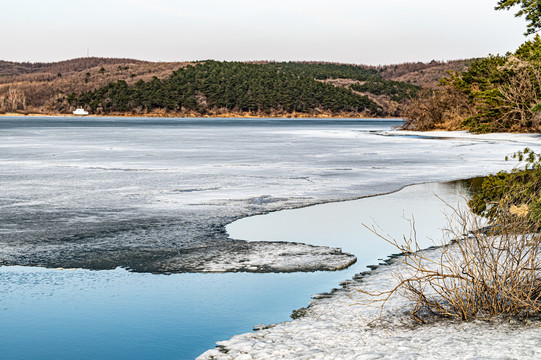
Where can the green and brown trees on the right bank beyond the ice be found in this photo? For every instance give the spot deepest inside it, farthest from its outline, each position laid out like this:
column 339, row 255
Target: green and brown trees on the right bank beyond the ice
column 498, row 93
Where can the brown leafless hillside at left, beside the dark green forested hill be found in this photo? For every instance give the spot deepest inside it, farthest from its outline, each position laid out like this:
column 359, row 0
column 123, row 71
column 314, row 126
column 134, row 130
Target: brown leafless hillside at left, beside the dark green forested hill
column 45, row 87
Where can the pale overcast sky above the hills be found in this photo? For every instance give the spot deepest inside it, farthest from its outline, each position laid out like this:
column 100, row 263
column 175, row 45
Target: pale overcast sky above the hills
column 350, row 31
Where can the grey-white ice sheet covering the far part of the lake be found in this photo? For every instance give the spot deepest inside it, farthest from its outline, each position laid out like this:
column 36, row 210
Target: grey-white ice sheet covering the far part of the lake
column 98, row 193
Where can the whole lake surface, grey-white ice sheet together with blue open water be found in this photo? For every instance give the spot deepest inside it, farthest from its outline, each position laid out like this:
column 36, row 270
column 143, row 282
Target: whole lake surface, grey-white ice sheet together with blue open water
column 140, row 193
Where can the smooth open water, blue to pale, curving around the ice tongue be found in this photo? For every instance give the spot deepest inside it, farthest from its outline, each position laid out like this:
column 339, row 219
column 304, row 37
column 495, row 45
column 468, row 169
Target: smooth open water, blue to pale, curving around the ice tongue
column 81, row 314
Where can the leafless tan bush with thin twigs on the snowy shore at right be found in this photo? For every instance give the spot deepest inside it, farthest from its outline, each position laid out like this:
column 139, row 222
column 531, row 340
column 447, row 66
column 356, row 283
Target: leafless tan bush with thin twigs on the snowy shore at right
column 492, row 272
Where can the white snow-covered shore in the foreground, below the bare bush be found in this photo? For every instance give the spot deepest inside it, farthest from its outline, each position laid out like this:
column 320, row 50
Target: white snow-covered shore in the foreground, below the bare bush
column 336, row 327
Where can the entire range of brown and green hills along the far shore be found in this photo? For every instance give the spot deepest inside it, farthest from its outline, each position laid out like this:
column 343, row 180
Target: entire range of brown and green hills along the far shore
column 210, row 88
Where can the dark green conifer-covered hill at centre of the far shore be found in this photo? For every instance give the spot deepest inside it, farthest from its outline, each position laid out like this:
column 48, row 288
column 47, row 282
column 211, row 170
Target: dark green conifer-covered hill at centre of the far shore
column 228, row 87
